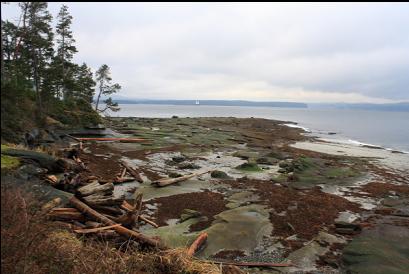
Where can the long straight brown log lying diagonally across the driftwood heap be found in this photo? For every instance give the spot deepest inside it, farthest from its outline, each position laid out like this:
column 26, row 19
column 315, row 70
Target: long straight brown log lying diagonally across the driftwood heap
column 119, row 229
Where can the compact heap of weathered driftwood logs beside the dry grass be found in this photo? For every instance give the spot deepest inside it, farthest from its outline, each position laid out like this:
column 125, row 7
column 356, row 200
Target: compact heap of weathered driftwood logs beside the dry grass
column 95, row 210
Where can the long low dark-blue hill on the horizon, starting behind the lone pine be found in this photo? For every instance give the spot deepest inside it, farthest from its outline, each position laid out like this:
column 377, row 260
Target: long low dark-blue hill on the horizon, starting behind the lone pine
column 214, row 103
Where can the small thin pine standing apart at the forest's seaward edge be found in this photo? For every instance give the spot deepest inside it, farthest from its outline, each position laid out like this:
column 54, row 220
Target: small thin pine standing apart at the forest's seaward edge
column 103, row 76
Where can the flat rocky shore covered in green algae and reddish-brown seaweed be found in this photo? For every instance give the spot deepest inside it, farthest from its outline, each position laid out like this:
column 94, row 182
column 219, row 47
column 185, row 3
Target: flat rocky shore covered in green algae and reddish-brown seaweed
column 274, row 194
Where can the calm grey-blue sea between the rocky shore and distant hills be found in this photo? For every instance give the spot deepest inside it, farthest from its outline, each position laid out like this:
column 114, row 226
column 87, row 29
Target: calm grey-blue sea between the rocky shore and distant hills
column 380, row 128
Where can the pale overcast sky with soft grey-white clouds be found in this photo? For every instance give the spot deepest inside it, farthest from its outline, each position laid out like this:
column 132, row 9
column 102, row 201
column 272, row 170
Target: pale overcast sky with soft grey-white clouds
column 322, row 52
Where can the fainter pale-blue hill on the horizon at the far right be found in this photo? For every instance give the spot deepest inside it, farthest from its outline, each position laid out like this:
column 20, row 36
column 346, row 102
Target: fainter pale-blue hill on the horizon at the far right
column 404, row 106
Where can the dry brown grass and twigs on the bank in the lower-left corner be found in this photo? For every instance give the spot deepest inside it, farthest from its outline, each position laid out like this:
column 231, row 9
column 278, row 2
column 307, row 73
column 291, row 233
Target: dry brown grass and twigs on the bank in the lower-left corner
column 32, row 244
